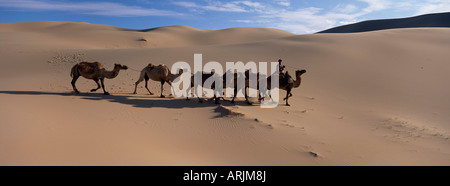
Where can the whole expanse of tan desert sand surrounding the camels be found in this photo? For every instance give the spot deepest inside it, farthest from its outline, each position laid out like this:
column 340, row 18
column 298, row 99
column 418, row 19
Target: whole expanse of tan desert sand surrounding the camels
column 373, row 98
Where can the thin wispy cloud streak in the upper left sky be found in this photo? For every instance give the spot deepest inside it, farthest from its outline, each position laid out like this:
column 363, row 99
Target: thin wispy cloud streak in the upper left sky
column 93, row 8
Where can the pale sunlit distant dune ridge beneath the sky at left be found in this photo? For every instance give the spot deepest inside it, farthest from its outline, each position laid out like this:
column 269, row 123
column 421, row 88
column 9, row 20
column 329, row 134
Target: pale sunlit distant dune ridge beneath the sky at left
column 85, row 35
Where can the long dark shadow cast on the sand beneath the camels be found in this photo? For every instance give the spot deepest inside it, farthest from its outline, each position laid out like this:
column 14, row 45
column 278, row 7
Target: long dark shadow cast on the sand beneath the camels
column 129, row 99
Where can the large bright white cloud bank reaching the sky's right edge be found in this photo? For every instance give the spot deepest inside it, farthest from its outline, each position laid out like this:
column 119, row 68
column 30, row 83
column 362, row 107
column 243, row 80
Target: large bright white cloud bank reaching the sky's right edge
column 281, row 13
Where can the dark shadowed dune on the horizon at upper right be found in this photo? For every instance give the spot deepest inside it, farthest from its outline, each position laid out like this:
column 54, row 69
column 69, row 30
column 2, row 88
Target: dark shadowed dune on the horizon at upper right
column 429, row 20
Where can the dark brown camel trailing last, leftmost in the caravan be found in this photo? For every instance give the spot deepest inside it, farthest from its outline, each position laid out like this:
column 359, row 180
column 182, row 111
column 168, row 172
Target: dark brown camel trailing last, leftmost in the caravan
column 96, row 72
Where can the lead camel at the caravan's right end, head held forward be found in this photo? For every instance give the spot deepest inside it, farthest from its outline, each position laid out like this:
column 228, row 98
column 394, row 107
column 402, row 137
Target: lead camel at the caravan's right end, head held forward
column 288, row 85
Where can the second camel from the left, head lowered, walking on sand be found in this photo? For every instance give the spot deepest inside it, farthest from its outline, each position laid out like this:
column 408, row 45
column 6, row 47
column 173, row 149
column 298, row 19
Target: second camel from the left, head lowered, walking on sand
column 159, row 73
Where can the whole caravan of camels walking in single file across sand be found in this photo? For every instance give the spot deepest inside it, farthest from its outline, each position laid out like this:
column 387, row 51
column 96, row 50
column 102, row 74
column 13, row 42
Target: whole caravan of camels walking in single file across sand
column 161, row 73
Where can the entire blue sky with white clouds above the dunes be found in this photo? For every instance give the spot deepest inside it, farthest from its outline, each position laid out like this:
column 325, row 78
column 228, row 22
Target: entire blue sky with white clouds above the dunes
column 296, row 16
